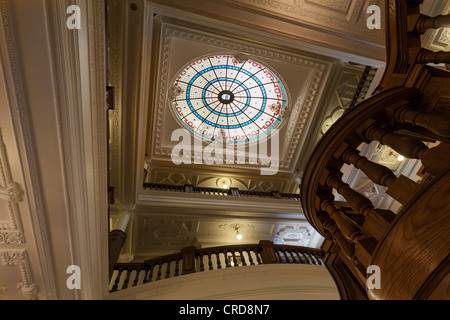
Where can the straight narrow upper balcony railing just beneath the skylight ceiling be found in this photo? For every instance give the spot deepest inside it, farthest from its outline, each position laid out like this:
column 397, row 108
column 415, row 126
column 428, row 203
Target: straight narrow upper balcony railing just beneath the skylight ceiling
column 234, row 192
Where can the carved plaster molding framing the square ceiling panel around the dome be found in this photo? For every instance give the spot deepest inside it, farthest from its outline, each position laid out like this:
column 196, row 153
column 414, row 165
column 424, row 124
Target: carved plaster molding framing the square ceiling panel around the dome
column 301, row 108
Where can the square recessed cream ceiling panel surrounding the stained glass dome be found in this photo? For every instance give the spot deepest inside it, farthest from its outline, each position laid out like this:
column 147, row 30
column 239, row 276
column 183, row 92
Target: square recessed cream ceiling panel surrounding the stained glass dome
column 305, row 79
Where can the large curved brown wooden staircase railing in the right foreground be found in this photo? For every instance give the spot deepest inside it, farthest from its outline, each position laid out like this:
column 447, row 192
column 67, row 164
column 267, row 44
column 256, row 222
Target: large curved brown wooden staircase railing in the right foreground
column 409, row 111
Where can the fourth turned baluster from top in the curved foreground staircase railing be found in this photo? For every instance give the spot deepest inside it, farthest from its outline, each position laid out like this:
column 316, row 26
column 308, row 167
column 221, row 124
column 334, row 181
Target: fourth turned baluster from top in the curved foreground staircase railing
column 377, row 222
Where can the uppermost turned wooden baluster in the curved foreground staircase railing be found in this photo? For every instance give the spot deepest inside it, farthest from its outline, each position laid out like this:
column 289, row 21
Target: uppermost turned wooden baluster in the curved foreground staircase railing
column 435, row 123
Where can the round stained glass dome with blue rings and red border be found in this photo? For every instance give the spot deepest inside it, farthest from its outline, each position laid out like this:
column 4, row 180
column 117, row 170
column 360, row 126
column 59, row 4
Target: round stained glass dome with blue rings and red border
column 220, row 97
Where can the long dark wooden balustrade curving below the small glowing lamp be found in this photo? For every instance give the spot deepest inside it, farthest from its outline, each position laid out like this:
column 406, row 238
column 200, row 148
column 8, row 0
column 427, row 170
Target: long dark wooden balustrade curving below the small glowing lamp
column 190, row 260
